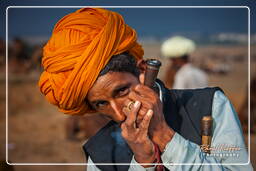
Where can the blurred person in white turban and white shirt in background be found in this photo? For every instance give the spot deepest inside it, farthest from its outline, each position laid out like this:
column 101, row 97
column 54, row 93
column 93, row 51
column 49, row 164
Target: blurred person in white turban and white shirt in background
column 185, row 76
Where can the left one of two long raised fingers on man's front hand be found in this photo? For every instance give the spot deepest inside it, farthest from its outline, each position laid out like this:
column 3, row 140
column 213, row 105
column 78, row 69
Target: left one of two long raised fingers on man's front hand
column 131, row 117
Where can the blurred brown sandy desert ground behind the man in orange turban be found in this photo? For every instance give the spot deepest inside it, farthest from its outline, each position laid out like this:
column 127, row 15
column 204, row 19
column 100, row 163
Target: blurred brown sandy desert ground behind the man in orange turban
column 36, row 129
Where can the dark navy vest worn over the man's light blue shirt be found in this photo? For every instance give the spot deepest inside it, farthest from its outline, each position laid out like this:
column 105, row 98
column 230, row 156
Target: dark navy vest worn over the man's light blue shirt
column 183, row 110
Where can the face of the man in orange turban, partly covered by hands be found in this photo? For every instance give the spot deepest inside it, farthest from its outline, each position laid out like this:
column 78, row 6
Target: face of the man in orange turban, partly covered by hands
column 109, row 93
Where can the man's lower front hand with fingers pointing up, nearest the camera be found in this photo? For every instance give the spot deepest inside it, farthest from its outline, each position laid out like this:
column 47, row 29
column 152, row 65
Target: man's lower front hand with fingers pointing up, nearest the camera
column 137, row 136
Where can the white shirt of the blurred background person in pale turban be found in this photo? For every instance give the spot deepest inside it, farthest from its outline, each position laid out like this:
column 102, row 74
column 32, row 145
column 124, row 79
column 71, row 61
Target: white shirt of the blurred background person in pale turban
column 190, row 77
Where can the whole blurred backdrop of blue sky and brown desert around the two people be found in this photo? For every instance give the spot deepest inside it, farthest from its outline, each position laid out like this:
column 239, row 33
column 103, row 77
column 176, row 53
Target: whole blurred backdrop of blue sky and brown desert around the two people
column 39, row 133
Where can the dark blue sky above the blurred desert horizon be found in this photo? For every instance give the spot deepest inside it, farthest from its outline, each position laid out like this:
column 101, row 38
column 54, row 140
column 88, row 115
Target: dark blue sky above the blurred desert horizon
column 153, row 21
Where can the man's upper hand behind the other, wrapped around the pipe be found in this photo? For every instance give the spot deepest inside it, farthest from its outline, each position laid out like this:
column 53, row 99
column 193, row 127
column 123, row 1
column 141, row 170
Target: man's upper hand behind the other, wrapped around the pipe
column 159, row 131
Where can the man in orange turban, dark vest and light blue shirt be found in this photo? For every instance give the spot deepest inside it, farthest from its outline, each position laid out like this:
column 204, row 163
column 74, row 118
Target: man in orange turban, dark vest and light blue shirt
column 93, row 63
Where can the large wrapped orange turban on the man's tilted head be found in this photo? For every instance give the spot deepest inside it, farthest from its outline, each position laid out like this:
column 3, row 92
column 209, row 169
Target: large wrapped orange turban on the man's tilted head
column 81, row 45
